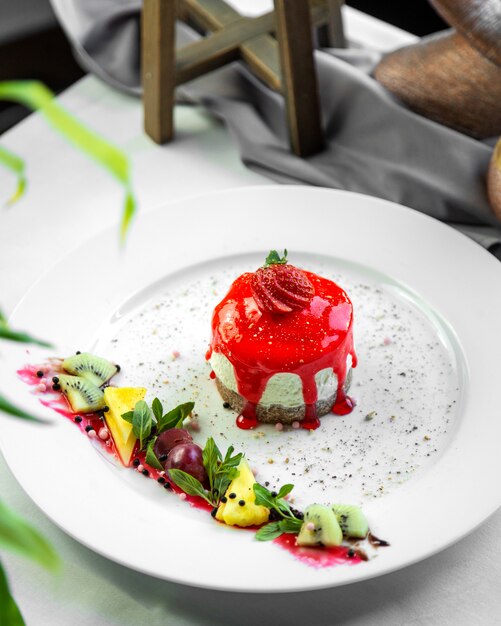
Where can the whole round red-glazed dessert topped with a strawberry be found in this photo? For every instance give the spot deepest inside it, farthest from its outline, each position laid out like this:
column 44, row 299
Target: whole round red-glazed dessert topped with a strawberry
column 282, row 346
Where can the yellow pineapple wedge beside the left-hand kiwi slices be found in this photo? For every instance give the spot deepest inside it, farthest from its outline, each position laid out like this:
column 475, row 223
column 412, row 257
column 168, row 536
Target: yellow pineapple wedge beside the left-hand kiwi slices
column 120, row 400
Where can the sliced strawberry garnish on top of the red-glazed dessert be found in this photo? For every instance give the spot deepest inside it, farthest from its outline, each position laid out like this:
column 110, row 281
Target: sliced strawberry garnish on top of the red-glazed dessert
column 281, row 288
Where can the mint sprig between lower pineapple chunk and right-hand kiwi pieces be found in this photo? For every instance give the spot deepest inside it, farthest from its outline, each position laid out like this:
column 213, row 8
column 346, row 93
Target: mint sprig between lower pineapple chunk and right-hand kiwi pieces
column 290, row 521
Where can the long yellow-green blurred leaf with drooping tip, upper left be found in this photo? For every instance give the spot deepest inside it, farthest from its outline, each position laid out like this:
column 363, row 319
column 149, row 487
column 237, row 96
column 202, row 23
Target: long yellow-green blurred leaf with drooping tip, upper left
column 37, row 96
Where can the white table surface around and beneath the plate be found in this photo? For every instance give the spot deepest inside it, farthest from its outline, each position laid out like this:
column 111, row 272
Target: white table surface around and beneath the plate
column 68, row 201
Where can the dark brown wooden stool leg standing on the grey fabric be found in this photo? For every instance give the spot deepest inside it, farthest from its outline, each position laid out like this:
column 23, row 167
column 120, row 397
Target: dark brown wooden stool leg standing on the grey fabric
column 300, row 88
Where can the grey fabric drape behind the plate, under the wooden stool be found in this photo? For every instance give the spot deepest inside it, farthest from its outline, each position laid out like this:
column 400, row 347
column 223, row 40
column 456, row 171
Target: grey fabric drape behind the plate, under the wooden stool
column 374, row 145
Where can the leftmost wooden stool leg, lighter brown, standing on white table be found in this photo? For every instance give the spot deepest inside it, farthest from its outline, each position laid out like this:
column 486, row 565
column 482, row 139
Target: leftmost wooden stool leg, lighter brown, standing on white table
column 158, row 68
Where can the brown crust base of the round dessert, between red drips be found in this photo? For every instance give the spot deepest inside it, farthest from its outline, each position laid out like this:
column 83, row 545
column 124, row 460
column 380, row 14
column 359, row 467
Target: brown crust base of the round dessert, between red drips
column 277, row 413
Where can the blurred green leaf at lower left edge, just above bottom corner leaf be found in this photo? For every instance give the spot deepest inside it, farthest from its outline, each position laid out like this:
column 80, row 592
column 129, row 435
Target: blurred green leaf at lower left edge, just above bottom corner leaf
column 18, row 536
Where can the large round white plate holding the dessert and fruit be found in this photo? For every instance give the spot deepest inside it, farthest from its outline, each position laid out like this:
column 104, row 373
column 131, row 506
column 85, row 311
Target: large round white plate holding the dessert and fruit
column 427, row 305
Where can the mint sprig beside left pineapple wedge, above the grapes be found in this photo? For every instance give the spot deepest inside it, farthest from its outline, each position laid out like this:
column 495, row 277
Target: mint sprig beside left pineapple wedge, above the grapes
column 148, row 423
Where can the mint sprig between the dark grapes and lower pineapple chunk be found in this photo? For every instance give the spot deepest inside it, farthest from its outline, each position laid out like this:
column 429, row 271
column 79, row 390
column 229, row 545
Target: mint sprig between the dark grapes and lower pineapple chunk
column 220, row 472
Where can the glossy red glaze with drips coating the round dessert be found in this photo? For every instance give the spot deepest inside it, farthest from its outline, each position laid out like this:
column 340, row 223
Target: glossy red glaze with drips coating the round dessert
column 261, row 344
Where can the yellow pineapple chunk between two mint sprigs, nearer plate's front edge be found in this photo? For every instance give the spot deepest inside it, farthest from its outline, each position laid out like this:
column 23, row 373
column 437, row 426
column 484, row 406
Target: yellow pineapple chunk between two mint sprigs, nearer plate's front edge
column 235, row 514
